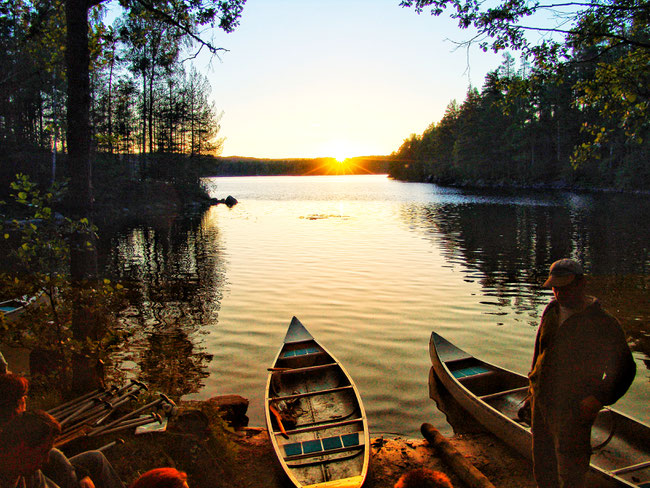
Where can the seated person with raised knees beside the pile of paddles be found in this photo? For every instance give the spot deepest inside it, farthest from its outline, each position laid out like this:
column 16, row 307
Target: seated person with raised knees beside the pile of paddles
column 25, row 447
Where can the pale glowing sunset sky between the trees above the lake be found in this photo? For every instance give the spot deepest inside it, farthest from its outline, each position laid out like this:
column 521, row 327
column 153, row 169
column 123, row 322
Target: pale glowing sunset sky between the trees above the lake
column 307, row 78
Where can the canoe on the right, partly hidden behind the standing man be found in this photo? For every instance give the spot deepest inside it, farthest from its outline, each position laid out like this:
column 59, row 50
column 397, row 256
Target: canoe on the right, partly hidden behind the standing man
column 493, row 395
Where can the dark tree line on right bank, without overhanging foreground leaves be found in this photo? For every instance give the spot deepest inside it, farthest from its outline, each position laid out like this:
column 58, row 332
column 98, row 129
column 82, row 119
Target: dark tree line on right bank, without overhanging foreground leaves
column 527, row 127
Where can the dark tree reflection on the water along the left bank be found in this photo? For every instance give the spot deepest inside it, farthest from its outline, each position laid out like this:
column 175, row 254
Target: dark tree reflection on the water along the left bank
column 174, row 272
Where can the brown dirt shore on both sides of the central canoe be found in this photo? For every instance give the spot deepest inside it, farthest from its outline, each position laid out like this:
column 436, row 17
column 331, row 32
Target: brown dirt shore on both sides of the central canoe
column 218, row 457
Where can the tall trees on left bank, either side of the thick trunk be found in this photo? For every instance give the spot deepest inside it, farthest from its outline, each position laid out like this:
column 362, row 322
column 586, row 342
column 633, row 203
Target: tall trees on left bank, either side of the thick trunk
column 143, row 97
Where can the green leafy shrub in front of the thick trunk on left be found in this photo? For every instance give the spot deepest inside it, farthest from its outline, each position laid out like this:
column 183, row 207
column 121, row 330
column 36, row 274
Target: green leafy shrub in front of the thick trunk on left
column 40, row 257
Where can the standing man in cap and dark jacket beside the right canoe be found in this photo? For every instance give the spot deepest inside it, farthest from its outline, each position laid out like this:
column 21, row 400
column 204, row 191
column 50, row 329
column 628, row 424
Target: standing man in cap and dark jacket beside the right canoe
column 581, row 362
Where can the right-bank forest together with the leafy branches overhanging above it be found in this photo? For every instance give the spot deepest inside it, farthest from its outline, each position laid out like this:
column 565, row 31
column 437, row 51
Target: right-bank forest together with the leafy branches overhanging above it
column 574, row 113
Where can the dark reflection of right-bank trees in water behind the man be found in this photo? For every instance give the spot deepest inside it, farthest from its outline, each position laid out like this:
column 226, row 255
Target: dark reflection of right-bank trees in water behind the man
column 507, row 247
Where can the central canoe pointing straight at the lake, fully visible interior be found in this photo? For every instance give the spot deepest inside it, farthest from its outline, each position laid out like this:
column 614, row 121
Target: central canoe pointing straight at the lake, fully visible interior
column 315, row 416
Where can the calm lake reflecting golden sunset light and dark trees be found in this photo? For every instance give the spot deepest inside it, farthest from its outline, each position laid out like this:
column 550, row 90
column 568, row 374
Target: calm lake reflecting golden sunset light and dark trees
column 371, row 266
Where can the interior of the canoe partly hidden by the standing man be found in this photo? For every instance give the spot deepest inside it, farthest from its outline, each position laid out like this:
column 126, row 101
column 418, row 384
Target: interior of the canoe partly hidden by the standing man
column 505, row 391
